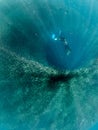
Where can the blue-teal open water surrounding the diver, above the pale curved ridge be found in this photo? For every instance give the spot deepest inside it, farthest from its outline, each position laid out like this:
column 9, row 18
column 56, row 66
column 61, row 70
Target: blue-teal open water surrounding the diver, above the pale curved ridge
column 27, row 27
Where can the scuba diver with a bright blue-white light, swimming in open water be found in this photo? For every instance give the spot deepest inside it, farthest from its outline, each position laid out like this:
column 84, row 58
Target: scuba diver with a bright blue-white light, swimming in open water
column 62, row 38
